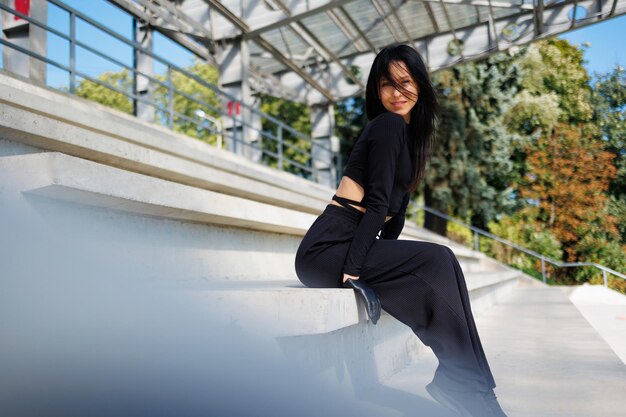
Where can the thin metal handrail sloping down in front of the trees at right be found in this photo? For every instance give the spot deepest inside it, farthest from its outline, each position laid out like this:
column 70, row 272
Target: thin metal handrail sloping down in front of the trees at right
column 544, row 259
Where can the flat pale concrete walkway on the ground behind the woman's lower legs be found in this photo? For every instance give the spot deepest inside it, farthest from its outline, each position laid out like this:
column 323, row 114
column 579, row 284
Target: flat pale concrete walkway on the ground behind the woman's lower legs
column 547, row 360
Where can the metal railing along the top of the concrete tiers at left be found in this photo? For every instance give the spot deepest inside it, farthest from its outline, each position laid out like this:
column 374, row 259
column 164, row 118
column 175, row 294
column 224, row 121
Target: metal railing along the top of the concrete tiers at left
column 271, row 145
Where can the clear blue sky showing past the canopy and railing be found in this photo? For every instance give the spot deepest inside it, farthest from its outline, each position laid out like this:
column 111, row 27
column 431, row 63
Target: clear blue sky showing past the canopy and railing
column 605, row 51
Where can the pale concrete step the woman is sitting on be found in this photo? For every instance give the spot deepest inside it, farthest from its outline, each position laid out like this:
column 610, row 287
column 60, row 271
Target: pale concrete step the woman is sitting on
column 290, row 309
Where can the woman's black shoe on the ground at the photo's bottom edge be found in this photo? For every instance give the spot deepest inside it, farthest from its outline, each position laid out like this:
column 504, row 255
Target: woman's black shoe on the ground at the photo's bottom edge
column 467, row 404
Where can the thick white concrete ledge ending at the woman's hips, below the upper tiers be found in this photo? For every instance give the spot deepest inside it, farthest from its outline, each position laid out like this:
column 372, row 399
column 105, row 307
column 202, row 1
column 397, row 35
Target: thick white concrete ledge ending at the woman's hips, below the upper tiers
column 73, row 179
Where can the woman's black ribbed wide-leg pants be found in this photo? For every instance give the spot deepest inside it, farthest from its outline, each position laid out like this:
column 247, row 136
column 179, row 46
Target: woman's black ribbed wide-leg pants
column 419, row 283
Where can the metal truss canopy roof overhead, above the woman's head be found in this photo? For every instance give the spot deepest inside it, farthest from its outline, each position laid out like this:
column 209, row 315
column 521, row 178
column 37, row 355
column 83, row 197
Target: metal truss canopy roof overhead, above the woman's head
column 318, row 51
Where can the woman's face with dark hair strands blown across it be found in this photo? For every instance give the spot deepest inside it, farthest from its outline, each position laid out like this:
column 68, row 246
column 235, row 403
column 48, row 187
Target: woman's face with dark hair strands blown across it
column 395, row 100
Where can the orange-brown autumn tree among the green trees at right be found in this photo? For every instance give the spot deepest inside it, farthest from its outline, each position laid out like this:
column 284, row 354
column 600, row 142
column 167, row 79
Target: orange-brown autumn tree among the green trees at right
column 566, row 183
